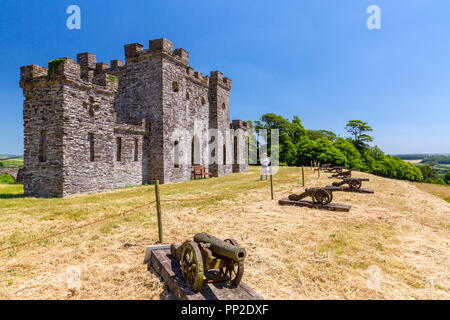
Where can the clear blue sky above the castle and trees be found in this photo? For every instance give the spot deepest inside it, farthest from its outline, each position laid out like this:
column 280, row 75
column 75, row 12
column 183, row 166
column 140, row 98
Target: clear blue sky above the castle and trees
column 315, row 59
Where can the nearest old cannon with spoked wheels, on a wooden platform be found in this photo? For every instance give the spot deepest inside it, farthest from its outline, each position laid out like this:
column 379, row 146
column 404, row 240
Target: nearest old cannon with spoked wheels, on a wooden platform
column 206, row 253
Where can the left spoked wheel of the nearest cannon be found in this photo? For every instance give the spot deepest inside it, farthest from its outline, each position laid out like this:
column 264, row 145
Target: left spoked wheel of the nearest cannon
column 192, row 265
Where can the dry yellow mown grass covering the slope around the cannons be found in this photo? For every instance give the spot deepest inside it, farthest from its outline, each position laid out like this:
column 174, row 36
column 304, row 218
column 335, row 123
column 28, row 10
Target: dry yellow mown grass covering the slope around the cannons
column 393, row 244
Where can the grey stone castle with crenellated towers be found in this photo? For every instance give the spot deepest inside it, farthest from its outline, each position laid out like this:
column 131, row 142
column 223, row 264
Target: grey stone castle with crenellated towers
column 90, row 126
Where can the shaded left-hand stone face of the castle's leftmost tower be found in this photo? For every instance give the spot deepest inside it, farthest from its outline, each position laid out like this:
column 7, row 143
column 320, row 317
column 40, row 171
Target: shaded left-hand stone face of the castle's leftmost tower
column 43, row 116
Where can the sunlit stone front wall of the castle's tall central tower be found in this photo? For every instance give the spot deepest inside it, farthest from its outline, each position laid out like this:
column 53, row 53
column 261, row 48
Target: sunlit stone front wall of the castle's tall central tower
column 186, row 119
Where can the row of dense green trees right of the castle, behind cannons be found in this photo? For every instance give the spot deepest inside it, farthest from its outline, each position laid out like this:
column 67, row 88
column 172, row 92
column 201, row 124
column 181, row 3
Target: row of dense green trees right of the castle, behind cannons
column 299, row 146
